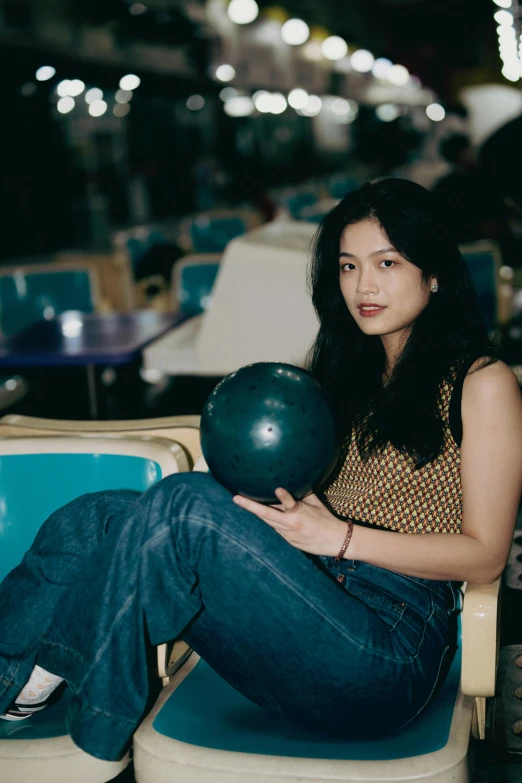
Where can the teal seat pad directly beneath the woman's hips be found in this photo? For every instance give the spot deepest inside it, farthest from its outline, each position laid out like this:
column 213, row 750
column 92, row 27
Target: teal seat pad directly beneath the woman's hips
column 205, row 711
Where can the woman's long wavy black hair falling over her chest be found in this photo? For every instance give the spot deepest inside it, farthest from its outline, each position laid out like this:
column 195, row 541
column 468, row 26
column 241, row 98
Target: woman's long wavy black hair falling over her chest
column 447, row 333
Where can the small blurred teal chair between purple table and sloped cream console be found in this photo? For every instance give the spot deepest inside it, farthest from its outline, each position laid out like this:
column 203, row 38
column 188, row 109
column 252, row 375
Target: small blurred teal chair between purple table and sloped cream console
column 193, row 278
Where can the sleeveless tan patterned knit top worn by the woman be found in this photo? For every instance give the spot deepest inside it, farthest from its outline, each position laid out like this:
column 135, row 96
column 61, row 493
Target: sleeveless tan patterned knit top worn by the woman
column 386, row 491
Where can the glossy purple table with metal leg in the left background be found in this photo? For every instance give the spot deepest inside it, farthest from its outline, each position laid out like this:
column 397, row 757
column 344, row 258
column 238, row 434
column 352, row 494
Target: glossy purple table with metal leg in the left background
column 86, row 339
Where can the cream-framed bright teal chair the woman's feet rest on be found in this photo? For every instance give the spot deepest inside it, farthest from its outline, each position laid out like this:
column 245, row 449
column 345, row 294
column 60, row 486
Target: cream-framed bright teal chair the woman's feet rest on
column 61, row 469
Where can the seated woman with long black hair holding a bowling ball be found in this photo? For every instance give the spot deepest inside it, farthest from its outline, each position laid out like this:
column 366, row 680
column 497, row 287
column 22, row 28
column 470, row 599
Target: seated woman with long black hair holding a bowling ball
column 306, row 613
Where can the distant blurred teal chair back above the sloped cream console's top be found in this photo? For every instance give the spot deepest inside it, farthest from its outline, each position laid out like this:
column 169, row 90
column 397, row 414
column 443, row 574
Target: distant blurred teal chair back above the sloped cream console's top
column 210, row 232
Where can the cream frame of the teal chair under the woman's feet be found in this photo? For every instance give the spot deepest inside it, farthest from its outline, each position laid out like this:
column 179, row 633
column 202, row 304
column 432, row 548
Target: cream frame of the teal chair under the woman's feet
column 58, row 759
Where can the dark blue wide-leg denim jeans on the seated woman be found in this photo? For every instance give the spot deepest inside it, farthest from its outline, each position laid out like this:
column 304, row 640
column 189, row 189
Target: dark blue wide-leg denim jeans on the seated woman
column 112, row 572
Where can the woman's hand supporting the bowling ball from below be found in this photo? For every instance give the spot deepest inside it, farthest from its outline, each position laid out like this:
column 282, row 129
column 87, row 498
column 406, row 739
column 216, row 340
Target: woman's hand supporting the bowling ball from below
column 306, row 524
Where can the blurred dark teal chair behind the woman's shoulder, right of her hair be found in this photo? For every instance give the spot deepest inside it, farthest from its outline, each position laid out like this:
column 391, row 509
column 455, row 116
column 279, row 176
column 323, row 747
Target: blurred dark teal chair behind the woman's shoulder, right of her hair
column 491, row 281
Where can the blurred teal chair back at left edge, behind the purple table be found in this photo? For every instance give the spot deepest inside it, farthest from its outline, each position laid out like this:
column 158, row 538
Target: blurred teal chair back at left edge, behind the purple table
column 40, row 291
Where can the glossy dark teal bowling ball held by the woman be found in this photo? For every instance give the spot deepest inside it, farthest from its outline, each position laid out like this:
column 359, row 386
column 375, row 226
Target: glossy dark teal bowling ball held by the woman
column 269, row 425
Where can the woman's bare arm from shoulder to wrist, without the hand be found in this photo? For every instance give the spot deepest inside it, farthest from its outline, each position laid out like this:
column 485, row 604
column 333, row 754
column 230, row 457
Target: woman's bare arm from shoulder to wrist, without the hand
column 491, row 476
